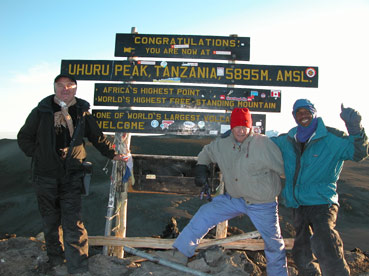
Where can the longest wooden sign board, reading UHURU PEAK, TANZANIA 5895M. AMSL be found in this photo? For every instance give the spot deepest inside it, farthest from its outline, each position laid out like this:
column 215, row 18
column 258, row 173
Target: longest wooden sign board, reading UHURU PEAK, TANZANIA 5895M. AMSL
column 192, row 72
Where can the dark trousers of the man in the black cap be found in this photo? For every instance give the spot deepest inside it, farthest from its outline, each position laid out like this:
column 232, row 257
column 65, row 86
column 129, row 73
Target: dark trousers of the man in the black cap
column 60, row 204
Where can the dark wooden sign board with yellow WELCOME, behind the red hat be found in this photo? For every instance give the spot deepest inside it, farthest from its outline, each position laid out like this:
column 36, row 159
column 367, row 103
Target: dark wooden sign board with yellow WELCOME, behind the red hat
column 169, row 122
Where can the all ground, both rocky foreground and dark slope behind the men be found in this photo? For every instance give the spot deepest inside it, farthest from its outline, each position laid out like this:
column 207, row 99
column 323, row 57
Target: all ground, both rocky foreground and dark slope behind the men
column 147, row 216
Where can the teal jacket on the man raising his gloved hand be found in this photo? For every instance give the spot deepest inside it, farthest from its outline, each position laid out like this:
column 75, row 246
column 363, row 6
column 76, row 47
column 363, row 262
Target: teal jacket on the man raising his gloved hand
column 311, row 177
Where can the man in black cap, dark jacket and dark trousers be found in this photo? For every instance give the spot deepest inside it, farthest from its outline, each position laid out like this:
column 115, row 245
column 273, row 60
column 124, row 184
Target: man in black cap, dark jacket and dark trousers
column 57, row 173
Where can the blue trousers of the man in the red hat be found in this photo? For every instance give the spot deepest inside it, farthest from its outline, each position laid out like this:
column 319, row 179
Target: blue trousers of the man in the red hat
column 223, row 207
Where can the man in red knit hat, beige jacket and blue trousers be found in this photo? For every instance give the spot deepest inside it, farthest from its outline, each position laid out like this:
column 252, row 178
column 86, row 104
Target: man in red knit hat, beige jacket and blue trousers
column 251, row 165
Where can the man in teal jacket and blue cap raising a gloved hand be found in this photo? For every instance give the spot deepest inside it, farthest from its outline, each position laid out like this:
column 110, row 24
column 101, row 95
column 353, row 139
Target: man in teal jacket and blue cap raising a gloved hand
column 313, row 157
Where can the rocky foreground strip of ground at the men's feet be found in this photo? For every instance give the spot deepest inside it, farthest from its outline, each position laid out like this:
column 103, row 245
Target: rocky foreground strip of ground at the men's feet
column 21, row 256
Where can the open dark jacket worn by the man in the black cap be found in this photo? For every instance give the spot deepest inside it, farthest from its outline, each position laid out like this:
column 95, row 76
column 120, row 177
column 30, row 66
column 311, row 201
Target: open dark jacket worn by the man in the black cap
column 37, row 139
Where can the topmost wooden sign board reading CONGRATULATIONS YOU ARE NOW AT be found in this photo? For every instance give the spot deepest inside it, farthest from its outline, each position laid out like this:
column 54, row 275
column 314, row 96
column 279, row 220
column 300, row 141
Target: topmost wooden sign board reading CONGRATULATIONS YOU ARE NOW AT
column 182, row 46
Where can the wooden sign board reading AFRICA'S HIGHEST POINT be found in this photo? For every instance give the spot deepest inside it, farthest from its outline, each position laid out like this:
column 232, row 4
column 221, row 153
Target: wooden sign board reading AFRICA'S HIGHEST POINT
column 179, row 96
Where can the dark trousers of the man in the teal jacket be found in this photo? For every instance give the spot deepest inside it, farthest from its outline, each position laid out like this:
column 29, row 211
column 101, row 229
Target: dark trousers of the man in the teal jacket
column 317, row 241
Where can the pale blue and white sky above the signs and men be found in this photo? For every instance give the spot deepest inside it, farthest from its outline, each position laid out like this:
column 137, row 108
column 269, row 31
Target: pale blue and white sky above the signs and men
column 37, row 35
